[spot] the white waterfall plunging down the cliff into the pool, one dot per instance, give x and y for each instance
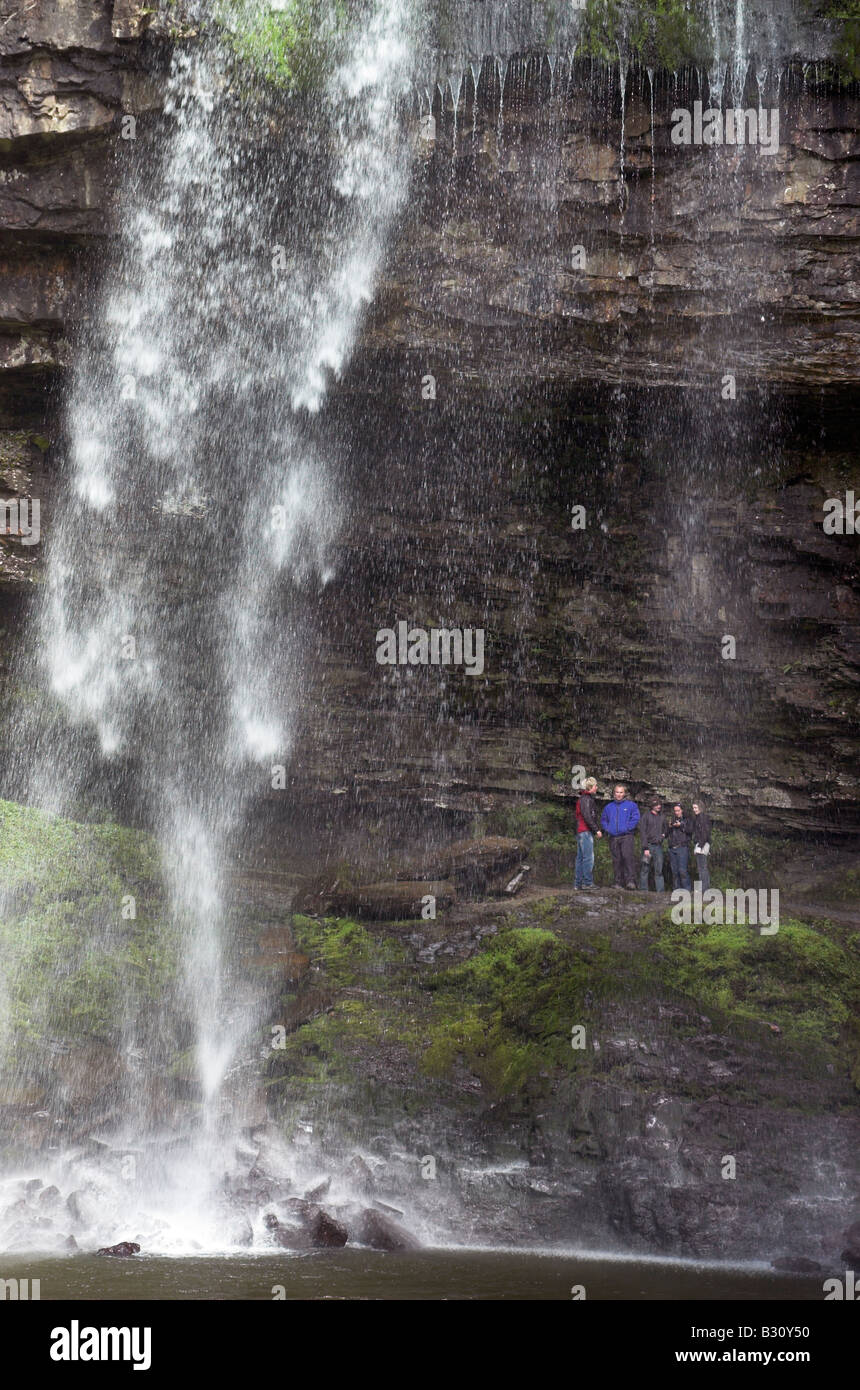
(234, 301)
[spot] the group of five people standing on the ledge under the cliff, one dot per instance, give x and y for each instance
(659, 833)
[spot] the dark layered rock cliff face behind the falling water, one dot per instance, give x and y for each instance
(579, 287)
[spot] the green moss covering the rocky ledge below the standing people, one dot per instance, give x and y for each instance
(506, 1014)
